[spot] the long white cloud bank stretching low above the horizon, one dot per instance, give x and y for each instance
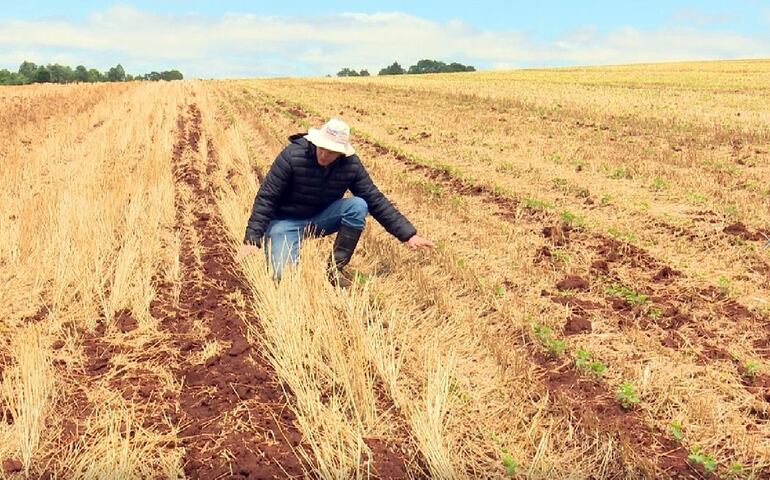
(250, 44)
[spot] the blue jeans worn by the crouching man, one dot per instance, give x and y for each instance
(284, 235)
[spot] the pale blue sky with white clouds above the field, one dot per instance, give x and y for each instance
(228, 39)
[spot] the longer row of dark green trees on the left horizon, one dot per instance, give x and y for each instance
(55, 73)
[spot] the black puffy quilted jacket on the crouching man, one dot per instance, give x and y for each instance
(298, 187)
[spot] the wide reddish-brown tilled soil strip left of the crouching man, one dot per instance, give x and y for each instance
(234, 419)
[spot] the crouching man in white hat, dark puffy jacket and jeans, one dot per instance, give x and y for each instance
(302, 195)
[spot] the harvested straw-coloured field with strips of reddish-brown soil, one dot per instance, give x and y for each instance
(598, 304)
